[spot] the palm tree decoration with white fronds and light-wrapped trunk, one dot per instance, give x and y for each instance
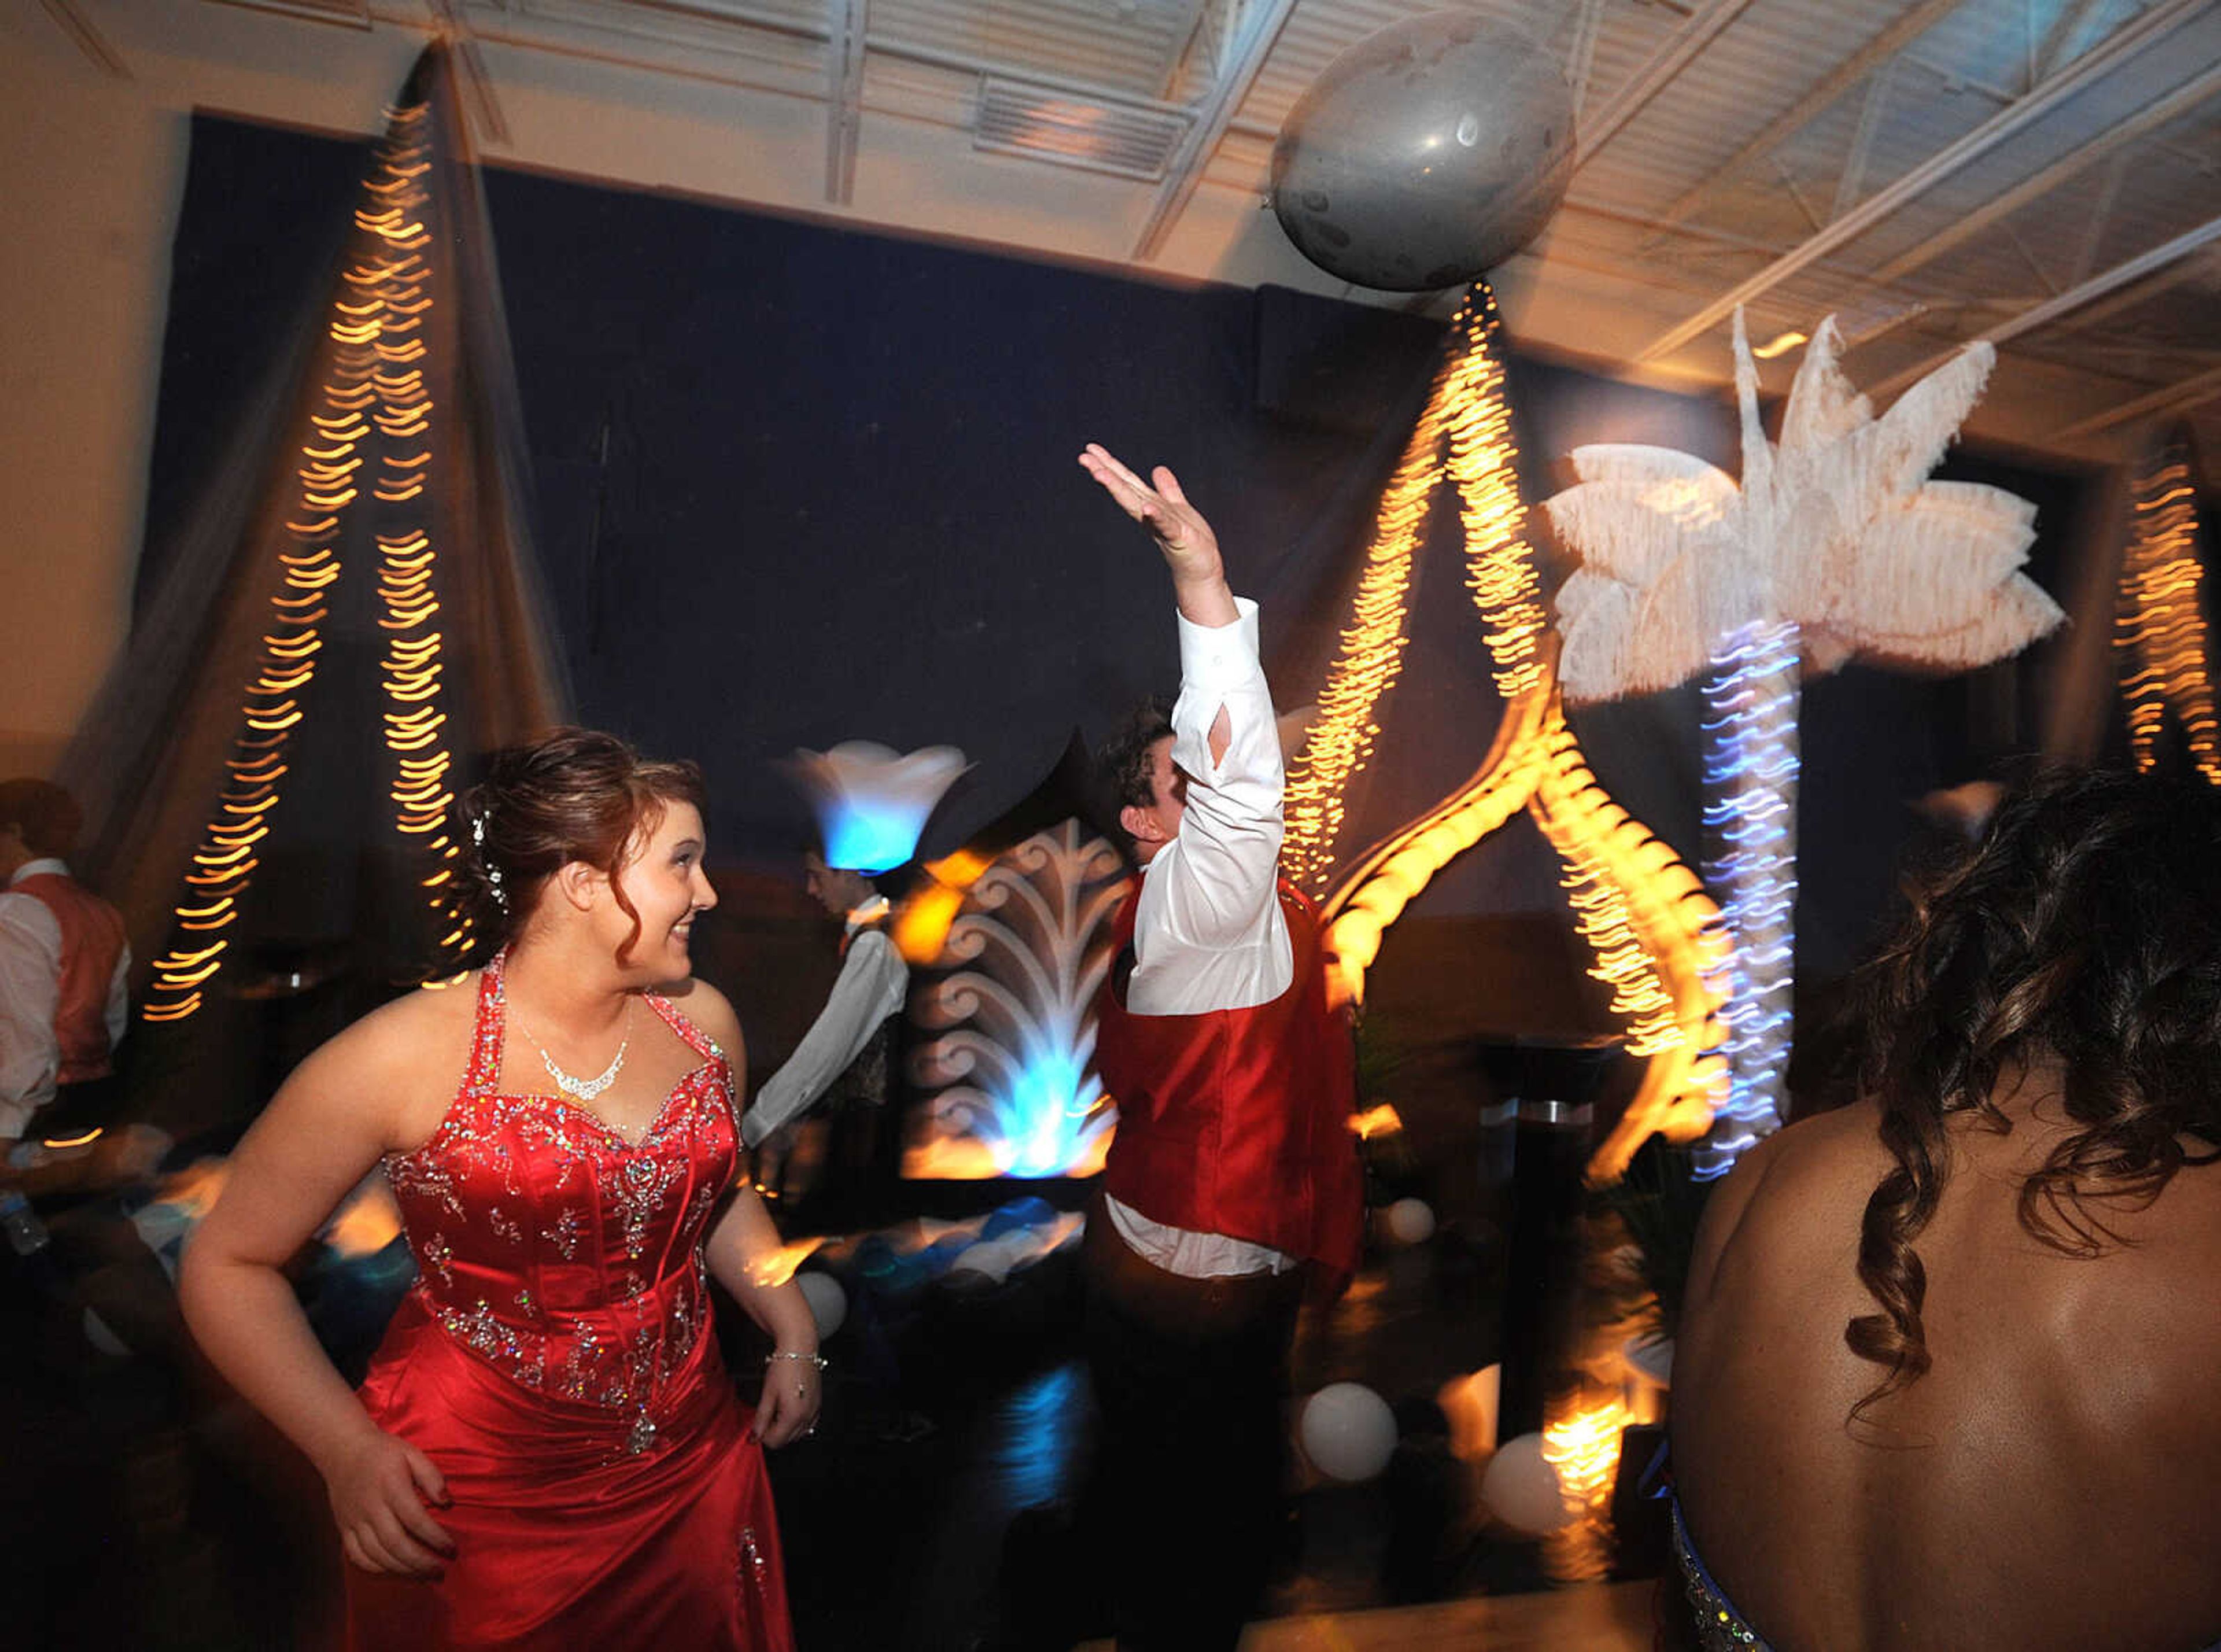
(1836, 545)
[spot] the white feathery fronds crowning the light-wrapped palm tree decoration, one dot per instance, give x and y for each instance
(1836, 530)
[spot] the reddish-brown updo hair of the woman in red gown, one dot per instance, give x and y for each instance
(570, 796)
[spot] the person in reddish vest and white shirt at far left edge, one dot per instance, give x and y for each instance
(63, 965)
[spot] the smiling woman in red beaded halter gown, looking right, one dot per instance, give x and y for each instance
(547, 1451)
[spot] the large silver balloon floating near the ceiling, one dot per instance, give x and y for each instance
(1427, 154)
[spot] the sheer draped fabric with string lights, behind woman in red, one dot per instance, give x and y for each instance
(170, 727)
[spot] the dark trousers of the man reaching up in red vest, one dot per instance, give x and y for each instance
(1189, 1376)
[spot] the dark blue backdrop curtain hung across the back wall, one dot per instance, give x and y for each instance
(794, 485)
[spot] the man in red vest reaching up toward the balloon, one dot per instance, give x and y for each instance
(1234, 1180)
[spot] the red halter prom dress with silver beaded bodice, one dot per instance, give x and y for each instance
(556, 1362)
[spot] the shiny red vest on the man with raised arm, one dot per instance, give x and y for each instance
(1238, 1122)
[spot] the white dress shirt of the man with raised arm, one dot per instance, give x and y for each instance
(1209, 931)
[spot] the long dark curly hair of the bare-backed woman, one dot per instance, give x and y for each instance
(2082, 936)
